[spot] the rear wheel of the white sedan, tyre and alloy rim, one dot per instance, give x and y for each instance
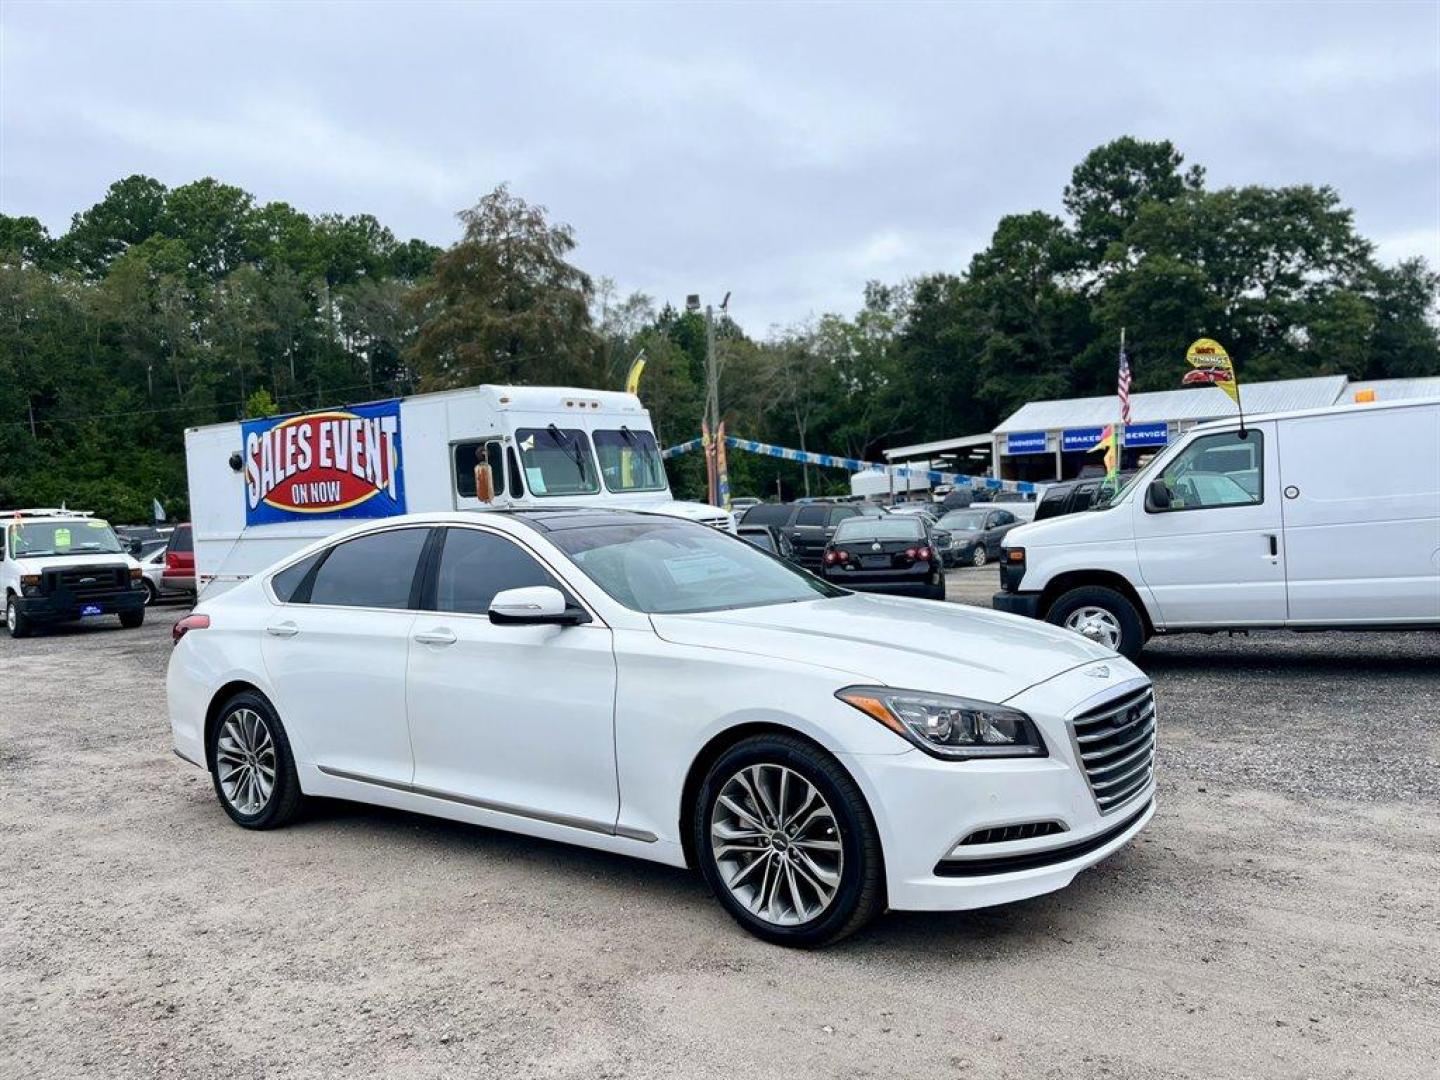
(253, 767)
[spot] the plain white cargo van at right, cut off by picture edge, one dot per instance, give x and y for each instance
(1327, 519)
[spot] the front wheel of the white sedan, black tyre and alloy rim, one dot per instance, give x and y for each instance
(787, 843)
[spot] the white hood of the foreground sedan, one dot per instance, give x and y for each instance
(896, 642)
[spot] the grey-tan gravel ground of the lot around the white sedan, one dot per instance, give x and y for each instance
(1278, 919)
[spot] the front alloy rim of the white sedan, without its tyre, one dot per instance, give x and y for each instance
(777, 845)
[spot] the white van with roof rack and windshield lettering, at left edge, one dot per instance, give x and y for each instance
(61, 565)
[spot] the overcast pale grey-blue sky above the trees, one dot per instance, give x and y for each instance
(787, 153)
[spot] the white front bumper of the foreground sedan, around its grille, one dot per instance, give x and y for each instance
(927, 807)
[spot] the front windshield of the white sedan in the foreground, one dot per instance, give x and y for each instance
(678, 568)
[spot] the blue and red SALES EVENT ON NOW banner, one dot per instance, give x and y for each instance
(346, 463)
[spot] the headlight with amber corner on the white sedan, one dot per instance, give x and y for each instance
(954, 728)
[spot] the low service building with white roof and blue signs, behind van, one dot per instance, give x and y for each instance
(1048, 441)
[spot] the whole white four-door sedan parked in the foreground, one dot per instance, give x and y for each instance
(656, 688)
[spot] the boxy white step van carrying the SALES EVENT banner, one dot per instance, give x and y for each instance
(264, 489)
